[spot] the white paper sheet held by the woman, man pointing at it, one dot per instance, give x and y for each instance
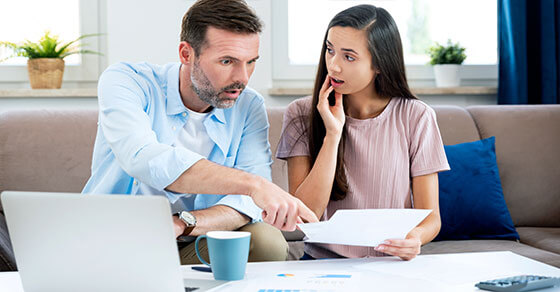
(364, 227)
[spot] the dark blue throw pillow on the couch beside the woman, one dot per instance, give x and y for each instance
(471, 199)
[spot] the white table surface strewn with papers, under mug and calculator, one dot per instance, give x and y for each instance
(445, 272)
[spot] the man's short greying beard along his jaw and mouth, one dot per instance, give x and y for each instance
(202, 86)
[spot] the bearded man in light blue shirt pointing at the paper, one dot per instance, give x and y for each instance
(195, 133)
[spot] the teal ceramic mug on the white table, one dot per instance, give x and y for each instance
(228, 252)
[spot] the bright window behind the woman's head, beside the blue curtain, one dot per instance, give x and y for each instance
(473, 24)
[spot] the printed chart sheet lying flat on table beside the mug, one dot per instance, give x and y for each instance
(307, 282)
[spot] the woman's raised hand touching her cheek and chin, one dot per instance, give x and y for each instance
(333, 116)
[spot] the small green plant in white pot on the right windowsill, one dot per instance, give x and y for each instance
(447, 61)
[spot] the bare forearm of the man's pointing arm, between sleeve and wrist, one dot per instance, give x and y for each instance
(205, 177)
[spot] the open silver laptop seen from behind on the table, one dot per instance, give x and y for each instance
(73, 242)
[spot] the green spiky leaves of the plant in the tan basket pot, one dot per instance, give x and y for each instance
(47, 47)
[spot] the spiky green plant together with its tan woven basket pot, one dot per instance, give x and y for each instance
(45, 63)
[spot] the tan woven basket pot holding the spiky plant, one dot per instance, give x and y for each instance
(45, 72)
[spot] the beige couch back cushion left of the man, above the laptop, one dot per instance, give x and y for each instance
(46, 150)
